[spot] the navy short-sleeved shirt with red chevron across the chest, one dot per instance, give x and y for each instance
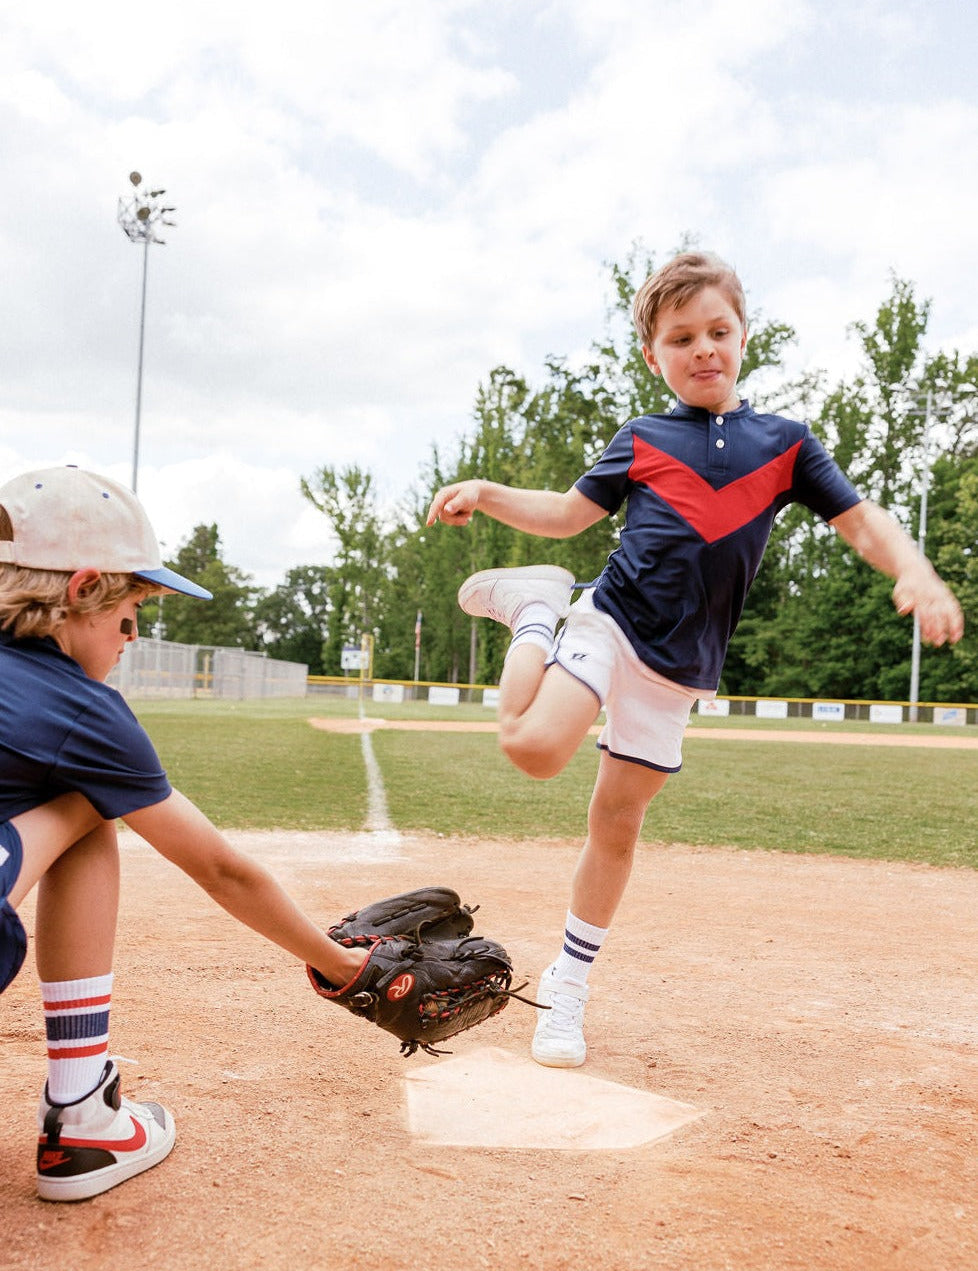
(703, 494)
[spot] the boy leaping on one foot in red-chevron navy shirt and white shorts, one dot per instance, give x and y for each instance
(703, 486)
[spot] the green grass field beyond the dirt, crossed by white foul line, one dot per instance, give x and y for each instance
(261, 766)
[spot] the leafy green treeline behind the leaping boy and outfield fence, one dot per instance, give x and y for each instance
(820, 622)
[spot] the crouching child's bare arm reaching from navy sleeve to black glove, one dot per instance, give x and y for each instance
(181, 833)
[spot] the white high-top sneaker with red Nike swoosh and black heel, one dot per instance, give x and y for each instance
(102, 1141)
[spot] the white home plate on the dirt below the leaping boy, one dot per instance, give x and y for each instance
(493, 1099)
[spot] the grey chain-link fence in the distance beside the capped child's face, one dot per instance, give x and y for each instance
(161, 669)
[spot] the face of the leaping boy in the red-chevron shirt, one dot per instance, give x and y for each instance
(698, 349)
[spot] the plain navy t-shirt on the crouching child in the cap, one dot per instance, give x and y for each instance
(63, 731)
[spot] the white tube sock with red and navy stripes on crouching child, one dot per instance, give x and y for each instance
(77, 1025)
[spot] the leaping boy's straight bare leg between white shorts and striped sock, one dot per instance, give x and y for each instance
(621, 798)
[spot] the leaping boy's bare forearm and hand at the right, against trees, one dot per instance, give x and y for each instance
(885, 545)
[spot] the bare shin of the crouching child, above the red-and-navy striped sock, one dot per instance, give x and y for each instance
(78, 908)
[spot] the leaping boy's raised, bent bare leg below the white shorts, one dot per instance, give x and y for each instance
(545, 714)
